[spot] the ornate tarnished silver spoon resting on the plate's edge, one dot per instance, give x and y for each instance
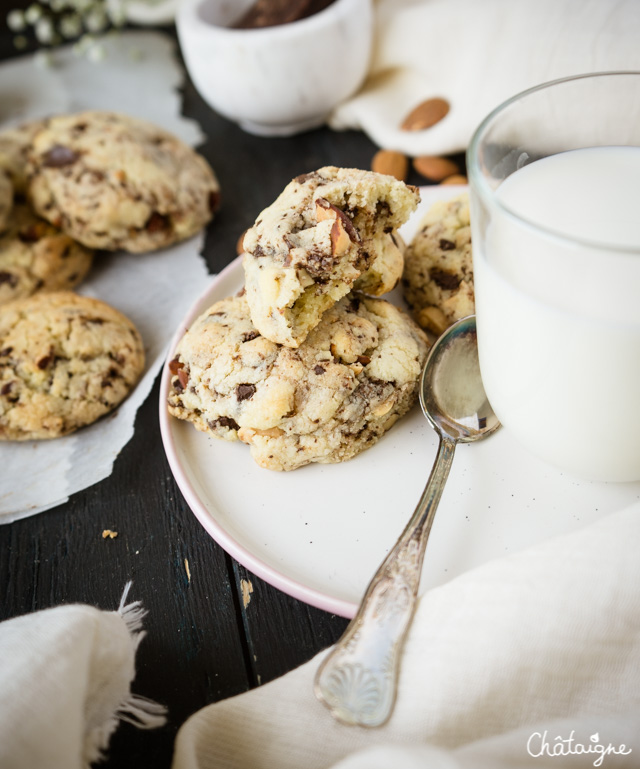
(357, 679)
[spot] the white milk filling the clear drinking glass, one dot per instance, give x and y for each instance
(559, 315)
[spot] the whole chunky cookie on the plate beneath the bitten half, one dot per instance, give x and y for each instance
(334, 396)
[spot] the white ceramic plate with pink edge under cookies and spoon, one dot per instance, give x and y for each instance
(319, 533)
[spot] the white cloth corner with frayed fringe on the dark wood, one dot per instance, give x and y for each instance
(65, 675)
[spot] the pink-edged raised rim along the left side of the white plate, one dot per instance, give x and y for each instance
(206, 518)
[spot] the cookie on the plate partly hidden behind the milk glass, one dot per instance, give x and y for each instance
(438, 271)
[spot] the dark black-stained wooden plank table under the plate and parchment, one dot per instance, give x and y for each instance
(202, 643)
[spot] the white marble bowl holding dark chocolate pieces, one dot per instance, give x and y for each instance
(279, 80)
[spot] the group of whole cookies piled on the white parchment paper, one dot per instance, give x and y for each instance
(70, 185)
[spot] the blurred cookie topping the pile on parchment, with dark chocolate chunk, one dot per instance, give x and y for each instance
(116, 182)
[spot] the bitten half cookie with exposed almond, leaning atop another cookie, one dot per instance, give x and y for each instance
(307, 249)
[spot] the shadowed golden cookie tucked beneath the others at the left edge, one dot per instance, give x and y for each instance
(35, 256)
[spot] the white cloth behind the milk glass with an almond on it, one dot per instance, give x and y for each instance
(476, 55)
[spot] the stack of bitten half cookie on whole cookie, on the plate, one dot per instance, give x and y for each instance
(307, 364)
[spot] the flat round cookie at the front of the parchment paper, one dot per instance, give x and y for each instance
(65, 361)
